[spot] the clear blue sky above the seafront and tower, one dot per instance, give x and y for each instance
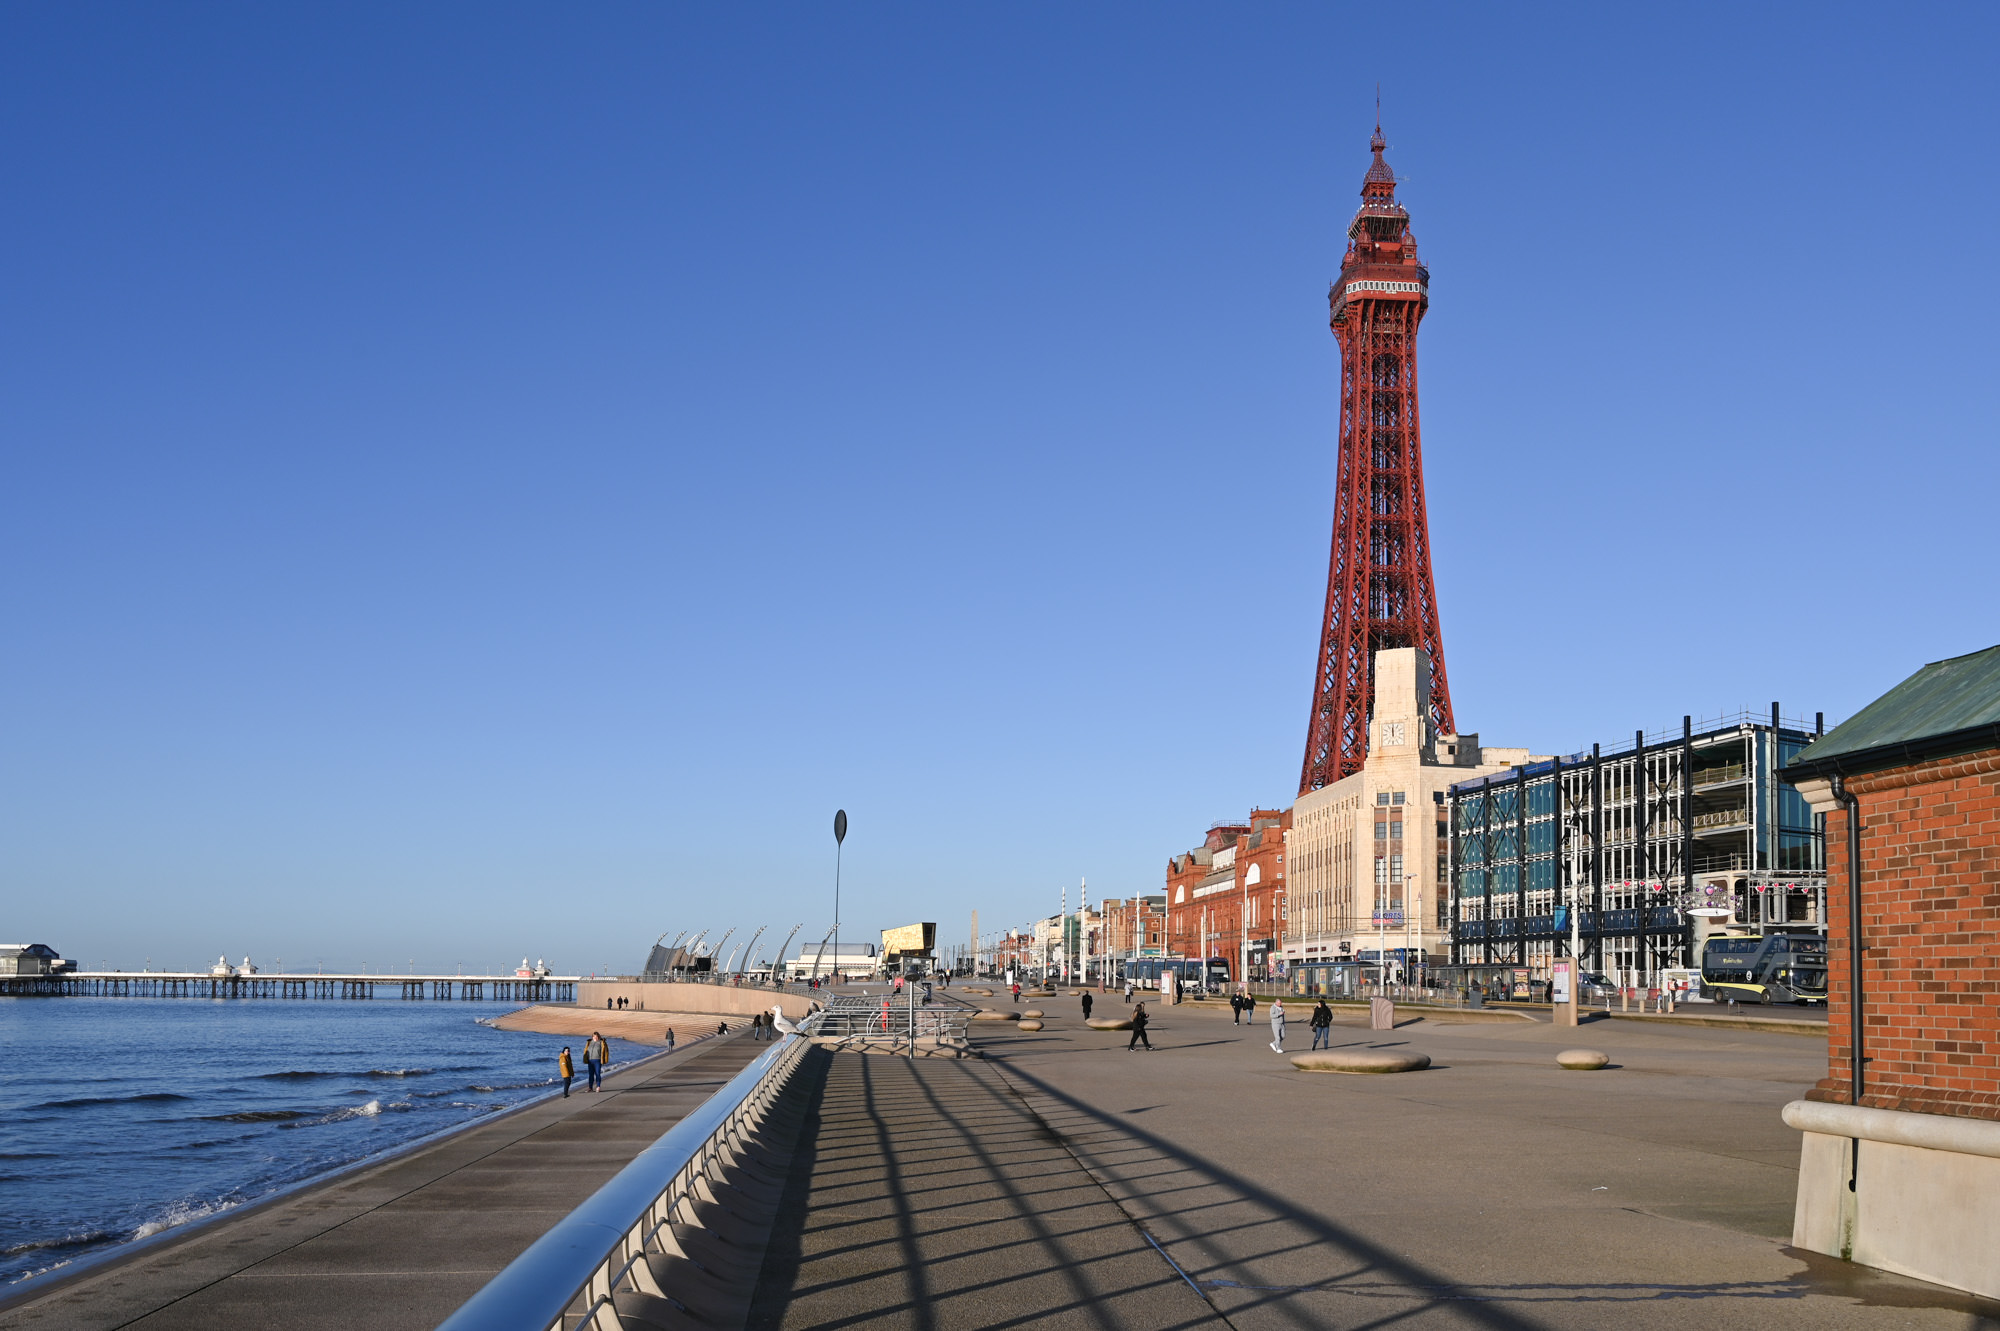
(495, 479)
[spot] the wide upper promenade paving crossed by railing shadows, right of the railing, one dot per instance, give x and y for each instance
(1489, 1192)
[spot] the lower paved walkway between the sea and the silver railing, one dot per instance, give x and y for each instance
(397, 1246)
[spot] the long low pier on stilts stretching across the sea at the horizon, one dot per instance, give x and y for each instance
(281, 986)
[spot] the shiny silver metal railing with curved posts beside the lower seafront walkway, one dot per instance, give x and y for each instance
(567, 1278)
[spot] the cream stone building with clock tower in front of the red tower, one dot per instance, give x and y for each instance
(1377, 840)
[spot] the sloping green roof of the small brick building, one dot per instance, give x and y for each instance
(1945, 708)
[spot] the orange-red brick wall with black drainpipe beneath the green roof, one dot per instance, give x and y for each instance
(1931, 938)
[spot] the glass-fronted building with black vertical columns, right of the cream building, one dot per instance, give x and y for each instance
(1655, 846)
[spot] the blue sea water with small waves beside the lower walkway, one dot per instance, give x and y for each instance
(121, 1118)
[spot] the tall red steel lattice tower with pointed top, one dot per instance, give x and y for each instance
(1379, 587)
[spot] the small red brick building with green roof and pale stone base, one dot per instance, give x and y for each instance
(1905, 1174)
